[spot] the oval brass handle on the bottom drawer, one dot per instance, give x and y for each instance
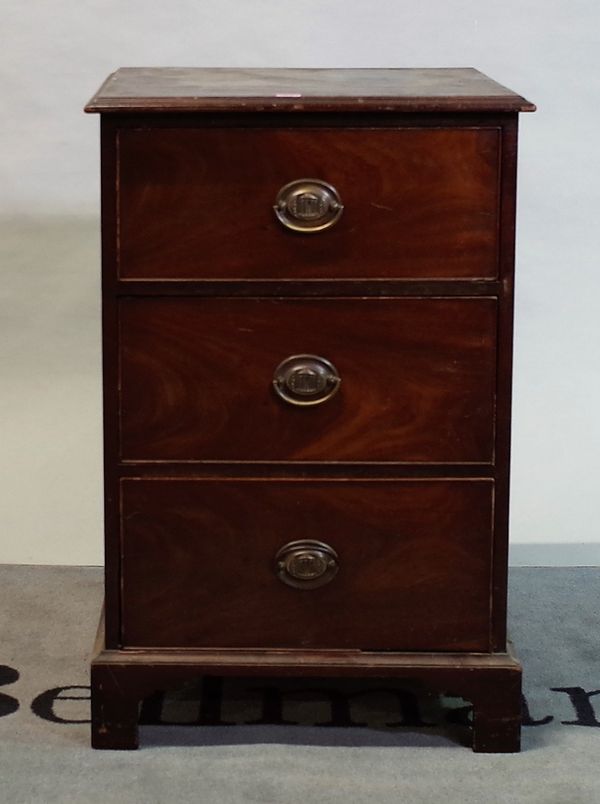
(306, 564)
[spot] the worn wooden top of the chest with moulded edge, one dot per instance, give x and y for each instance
(195, 89)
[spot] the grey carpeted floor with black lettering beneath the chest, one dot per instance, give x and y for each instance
(47, 620)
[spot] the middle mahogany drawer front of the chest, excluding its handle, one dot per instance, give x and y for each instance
(417, 379)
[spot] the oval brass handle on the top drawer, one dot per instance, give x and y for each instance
(308, 205)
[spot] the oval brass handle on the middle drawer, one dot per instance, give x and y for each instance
(306, 380)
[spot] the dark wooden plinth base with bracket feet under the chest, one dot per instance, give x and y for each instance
(121, 679)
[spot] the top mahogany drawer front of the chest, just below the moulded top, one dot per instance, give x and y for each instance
(199, 203)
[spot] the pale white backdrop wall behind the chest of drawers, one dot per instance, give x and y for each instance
(54, 55)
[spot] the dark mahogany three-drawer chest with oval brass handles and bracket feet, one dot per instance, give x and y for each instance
(307, 316)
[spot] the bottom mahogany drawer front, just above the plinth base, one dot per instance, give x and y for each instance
(200, 566)
